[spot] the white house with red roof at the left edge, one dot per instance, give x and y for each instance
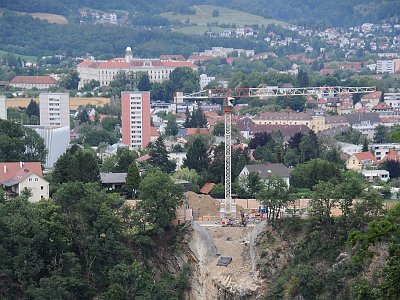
(15, 177)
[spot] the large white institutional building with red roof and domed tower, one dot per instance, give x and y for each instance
(105, 71)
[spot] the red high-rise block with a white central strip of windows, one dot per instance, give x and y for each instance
(136, 129)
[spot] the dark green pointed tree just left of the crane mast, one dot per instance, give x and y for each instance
(197, 156)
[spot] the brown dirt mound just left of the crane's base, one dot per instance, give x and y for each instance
(203, 205)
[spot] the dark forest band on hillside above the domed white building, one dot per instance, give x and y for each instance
(25, 35)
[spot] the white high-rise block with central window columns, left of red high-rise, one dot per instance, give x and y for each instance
(54, 109)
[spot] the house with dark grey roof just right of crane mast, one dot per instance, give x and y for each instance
(267, 170)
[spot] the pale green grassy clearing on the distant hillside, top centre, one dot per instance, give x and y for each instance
(226, 16)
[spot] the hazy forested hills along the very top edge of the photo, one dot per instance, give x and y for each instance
(311, 12)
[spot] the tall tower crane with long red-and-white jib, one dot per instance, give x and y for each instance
(227, 207)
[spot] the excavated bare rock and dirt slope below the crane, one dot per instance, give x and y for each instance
(200, 250)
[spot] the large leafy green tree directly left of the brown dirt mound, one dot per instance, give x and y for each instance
(160, 197)
